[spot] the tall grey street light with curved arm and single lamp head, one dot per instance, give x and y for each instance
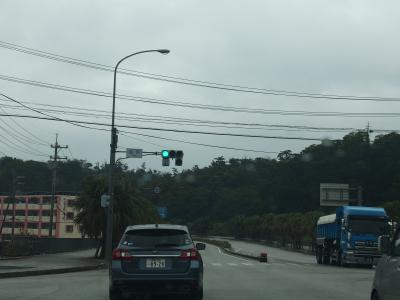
(113, 148)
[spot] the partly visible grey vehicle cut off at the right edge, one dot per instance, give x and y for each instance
(387, 274)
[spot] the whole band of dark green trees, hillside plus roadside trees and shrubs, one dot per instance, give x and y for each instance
(268, 198)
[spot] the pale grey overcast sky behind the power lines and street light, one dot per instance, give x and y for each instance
(313, 46)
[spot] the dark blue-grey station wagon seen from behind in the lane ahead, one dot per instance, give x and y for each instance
(156, 259)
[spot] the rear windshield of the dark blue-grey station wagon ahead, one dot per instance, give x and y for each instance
(154, 238)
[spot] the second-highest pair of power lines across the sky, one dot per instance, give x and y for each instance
(195, 105)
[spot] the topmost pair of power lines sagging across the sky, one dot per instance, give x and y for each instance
(190, 82)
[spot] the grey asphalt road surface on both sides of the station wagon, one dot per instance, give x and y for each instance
(288, 276)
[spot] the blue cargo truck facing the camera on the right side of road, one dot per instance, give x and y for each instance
(350, 236)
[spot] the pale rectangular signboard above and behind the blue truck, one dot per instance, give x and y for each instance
(334, 194)
